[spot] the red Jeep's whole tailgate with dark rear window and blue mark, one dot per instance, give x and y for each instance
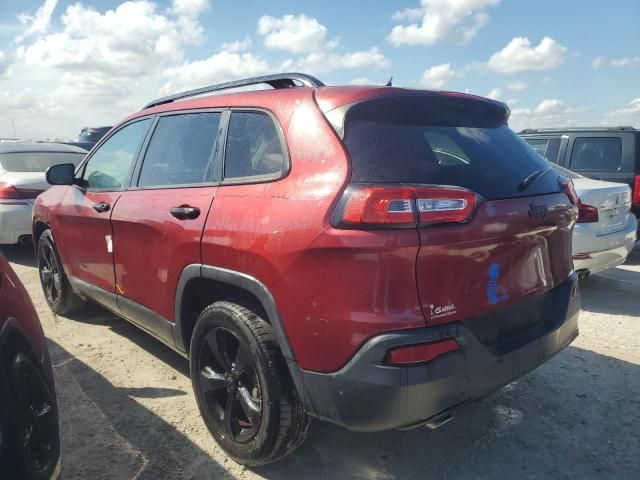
(517, 243)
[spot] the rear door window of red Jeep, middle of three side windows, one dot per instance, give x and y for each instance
(181, 150)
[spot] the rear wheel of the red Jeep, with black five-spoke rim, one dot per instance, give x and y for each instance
(243, 387)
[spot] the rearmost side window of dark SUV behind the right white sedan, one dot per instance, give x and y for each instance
(603, 153)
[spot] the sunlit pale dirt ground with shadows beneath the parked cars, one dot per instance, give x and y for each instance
(128, 411)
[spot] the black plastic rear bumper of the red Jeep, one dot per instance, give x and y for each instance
(367, 395)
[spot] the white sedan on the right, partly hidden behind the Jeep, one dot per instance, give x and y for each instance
(605, 232)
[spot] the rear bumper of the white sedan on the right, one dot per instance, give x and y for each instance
(597, 253)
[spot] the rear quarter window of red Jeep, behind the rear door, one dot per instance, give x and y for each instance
(253, 146)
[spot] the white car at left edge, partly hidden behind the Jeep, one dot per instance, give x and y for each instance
(22, 179)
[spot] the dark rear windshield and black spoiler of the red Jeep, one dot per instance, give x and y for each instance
(443, 141)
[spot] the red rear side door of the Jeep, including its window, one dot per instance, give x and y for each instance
(158, 223)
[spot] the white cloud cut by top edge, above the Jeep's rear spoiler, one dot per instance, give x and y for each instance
(456, 20)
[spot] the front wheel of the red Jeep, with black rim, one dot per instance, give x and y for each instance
(57, 292)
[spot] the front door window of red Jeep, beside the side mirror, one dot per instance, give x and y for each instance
(109, 166)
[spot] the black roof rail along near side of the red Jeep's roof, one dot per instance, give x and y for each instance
(278, 80)
